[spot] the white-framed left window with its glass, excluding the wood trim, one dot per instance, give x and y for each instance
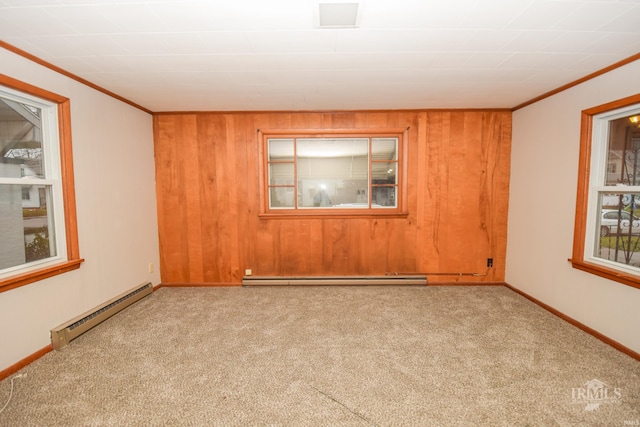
(31, 193)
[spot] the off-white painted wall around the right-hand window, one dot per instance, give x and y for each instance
(544, 168)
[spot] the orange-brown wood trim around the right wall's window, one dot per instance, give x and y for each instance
(582, 200)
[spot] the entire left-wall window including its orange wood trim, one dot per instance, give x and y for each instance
(37, 203)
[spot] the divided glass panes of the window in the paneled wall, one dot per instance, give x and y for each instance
(332, 173)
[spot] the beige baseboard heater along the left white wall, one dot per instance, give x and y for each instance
(65, 333)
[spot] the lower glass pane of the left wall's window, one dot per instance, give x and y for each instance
(27, 229)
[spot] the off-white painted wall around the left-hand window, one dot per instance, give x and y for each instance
(116, 208)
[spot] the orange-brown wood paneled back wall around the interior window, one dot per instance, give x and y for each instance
(207, 177)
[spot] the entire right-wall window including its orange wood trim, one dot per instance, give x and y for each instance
(607, 226)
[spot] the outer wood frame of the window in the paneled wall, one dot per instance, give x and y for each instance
(400, 210)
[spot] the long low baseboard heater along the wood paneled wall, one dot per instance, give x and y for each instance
(334, 280)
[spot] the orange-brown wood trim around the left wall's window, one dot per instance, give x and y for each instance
(68, 189)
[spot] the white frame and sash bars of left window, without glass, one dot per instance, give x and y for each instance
(52, 179)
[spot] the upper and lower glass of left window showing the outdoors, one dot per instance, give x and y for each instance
(25, 193)
